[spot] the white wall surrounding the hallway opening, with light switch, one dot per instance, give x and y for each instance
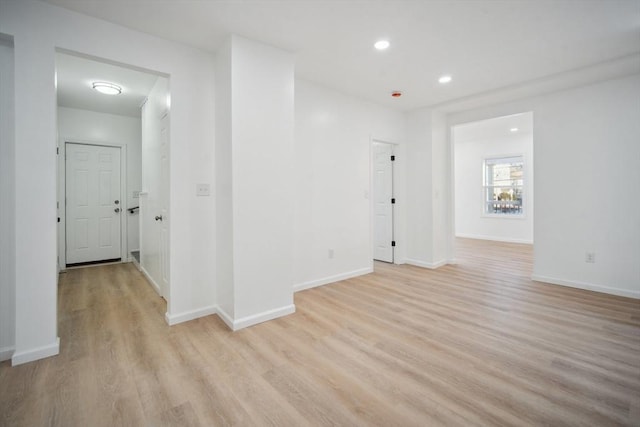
(38, 29)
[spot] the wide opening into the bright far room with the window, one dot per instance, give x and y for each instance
(493, 181)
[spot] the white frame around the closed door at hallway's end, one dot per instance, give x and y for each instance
(62, 208)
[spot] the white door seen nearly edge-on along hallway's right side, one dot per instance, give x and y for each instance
(163, 202)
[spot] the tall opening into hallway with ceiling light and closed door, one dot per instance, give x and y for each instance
(113, 156)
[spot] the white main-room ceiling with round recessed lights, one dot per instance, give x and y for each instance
(484, 44)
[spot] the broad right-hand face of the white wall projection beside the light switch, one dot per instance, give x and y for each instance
(262, 90)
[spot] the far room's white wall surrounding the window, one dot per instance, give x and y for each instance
(470, 219)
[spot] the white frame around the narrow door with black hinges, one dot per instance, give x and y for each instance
(398, 207)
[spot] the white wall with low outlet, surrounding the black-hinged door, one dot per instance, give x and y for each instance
(333, 135)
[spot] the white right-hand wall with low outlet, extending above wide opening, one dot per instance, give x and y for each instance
(586, 175)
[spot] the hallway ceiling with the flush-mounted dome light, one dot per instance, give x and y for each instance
(75, 75)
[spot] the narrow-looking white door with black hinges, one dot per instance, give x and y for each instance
(382, 202)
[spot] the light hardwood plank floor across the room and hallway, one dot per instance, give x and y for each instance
(477, 343)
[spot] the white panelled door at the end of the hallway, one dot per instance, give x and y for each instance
(93, 209)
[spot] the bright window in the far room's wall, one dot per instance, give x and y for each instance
(503, 185)
